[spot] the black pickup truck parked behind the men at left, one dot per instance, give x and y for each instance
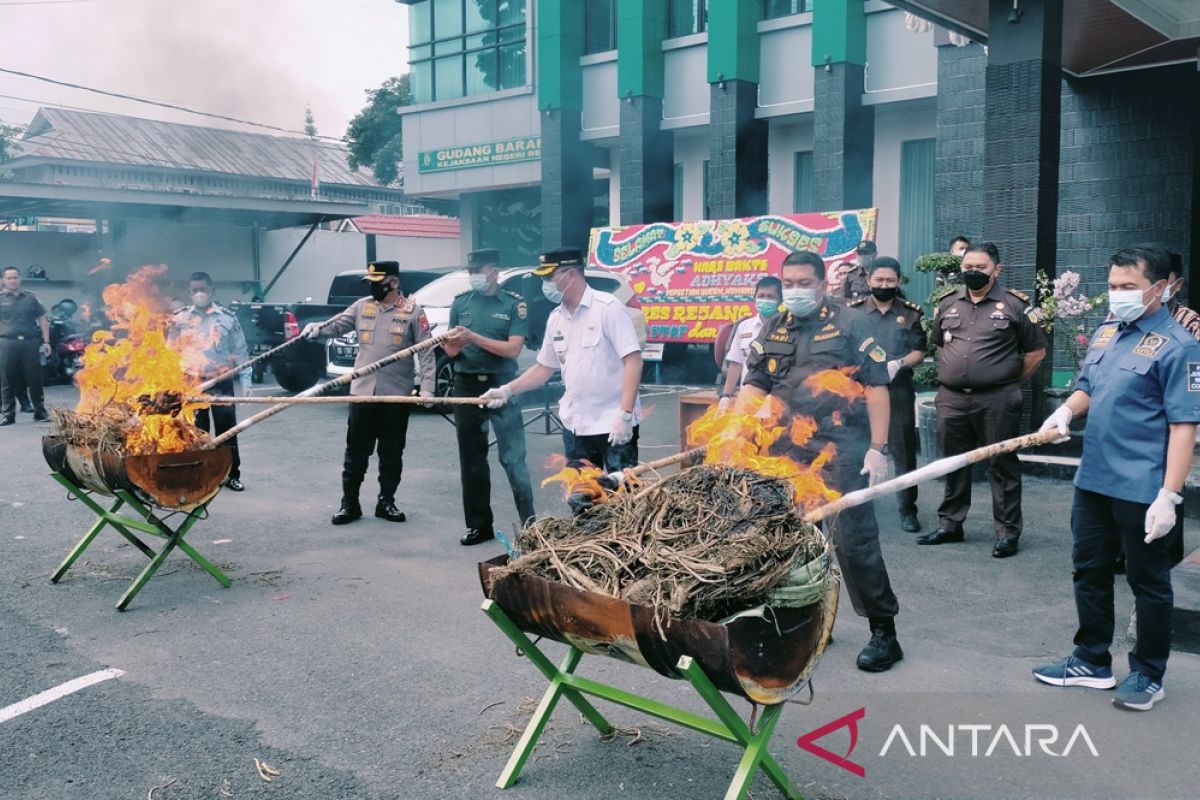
(268, 326)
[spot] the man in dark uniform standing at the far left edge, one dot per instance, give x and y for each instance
(25, 335)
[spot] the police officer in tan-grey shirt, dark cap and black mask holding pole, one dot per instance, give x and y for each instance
(386, 323)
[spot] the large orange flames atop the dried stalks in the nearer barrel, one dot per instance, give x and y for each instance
(743, 438)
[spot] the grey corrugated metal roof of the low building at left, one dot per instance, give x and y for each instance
(130, 141)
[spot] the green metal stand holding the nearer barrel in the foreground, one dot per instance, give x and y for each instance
(563, 683)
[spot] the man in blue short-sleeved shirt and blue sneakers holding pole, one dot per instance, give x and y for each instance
(1141, 388)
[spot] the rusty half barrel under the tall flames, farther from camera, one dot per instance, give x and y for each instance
(175, 482)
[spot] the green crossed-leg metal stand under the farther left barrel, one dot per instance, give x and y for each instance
(125, 526)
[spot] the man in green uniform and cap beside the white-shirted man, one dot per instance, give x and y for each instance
(488, 330)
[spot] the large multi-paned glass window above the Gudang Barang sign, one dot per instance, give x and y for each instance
(478, 47)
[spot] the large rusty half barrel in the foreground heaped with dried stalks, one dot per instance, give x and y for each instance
(765, 660)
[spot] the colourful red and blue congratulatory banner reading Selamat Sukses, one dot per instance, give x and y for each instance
(695, 278)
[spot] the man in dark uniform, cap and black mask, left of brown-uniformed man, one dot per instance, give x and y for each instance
(897, 327)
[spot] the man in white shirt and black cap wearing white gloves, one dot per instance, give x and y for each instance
(591, 340)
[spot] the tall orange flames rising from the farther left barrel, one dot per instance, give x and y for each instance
(131, 360)
